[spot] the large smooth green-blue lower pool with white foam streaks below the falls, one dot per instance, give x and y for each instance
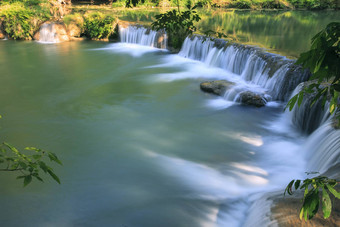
(141, 145)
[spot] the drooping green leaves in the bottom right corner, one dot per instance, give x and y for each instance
(314, 188)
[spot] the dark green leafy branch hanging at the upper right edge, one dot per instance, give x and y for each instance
(323, 60)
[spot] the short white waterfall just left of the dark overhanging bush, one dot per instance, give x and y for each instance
(143, 36)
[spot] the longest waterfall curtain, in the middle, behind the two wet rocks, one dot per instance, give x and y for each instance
(276, 74)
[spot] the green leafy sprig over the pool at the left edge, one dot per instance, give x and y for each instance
(28, 165)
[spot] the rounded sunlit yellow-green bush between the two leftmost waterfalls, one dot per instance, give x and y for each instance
(98, 25)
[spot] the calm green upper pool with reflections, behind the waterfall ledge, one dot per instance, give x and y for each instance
(284, 32)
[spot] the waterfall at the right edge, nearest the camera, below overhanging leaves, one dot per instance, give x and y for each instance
(322, 148)
